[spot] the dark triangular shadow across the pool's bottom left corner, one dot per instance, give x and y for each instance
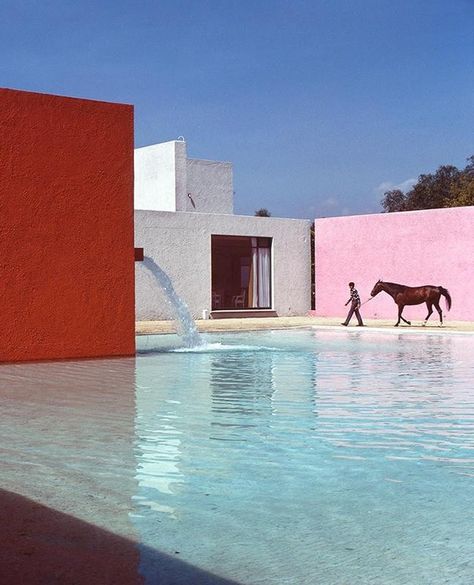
(41, 546)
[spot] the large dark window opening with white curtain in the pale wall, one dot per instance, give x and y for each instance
(241, 273)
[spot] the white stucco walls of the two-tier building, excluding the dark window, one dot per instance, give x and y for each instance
(180, 204)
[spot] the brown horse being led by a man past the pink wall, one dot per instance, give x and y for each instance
(413, 295)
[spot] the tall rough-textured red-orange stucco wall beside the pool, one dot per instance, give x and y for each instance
(66, 227)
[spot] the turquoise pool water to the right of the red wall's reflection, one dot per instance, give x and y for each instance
(308, 457)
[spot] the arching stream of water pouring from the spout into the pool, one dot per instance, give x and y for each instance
(186, 327)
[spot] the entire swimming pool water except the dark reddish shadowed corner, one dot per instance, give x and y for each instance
(273, 458)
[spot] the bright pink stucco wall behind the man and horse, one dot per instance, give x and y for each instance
(414, 248)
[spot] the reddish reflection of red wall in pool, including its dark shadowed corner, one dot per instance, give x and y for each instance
(68, 473)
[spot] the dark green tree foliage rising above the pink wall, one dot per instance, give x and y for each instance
(447, 187)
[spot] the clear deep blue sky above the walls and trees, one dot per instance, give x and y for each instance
(320, 105)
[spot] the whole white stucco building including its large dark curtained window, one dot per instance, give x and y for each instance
(220, 264)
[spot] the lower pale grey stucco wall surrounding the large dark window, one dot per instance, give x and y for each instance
(180, 243)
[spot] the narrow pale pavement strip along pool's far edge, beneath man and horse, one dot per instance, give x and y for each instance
(254, 324)
